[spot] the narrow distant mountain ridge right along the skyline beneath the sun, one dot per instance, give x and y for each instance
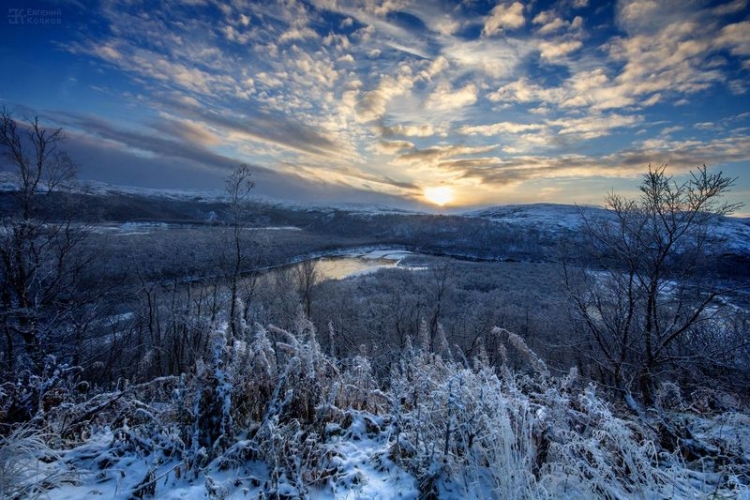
(113, 203)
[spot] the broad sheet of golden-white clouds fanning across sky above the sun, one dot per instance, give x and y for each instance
(326, 89)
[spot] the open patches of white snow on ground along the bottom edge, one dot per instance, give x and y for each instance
(361, 458)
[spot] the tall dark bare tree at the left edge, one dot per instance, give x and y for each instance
(39, 265)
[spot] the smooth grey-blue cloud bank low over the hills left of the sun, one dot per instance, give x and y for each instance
(171, 161)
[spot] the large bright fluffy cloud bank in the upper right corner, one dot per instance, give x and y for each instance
(667, 53)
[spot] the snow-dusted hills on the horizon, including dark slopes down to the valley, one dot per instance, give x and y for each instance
(528, 231)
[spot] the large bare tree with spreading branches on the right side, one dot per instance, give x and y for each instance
(645, 295)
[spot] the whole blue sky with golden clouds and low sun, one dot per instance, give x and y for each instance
(397, 102)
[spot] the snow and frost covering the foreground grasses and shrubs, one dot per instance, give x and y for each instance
(592, 451)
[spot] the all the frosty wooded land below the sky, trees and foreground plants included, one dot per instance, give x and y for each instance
(161, 345)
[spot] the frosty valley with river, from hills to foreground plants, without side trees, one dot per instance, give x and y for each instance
(380, 314)
